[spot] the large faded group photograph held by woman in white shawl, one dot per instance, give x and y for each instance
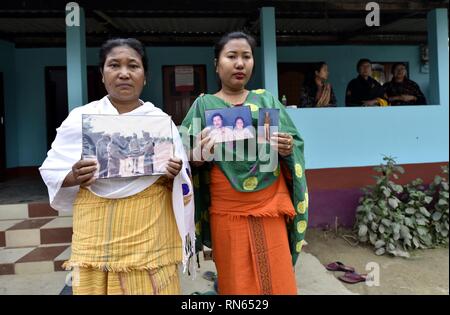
(127, 145)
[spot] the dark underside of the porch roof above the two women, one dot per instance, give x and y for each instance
(297, 22)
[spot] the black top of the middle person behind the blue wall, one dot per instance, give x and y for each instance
(360, 90)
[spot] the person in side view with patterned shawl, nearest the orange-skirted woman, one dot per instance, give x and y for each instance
(316, 92)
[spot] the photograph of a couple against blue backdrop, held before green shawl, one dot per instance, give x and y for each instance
(230, 124)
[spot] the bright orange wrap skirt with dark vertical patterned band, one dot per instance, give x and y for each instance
(250, 243)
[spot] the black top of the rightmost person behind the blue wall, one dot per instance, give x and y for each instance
(407, 87)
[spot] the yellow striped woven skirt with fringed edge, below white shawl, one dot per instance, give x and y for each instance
(125, 246)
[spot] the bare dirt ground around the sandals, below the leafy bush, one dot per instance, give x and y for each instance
(425, 272)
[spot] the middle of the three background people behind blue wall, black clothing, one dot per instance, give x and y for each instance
(364, 90)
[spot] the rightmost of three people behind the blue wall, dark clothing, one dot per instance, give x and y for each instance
(401, 90)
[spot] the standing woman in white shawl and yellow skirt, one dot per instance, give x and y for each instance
(129, 234)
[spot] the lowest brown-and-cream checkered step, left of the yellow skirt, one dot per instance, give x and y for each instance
(33, 260)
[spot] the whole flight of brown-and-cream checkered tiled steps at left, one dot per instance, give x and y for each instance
(34, 239)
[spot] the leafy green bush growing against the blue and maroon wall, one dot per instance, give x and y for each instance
(398, 218)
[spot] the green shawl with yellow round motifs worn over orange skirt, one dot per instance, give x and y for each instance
(244, 175)
